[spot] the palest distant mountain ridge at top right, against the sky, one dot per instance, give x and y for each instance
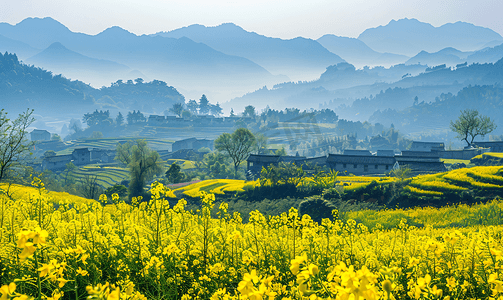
(410, 36)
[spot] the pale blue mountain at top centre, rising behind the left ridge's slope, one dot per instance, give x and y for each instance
(298, 58)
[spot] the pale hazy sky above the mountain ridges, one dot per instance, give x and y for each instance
(275, 18)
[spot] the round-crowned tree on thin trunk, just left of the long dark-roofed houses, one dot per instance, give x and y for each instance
(237, 145)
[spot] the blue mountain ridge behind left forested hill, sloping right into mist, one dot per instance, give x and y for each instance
(182, 62)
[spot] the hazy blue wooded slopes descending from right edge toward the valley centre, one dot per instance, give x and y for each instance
(343, 84)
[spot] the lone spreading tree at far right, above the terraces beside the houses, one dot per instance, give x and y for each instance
(470, 124)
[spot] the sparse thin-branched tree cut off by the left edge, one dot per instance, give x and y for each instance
(14, 145)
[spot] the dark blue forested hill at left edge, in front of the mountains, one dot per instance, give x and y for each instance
(23, 86)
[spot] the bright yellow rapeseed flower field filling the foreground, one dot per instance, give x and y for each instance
(51, 248)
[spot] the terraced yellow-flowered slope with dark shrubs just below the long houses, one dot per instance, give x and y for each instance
(461, 185)
